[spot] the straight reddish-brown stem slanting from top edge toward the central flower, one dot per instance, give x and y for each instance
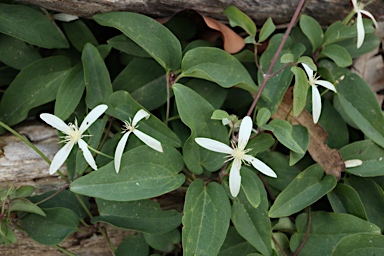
(273, 62)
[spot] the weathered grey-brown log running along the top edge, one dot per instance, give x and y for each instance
(325, 11)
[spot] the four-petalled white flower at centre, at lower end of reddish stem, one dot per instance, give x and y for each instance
(238, 154)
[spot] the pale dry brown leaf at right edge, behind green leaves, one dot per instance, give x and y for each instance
(370, 67)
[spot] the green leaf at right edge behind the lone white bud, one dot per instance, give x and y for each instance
(368, 152)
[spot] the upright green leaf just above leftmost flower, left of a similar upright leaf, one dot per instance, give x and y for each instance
(70, 92)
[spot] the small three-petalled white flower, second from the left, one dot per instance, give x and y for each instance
(130, 127)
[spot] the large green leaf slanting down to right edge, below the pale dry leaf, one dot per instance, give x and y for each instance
(360, 104)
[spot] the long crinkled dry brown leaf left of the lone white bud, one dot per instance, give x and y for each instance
(330, 159)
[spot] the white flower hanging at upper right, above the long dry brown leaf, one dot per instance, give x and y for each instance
(316, 98)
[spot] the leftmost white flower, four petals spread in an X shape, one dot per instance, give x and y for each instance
(73, 135)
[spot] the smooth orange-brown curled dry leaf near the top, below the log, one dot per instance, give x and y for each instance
(233, 43)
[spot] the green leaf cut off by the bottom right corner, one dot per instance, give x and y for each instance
(360, 244)
